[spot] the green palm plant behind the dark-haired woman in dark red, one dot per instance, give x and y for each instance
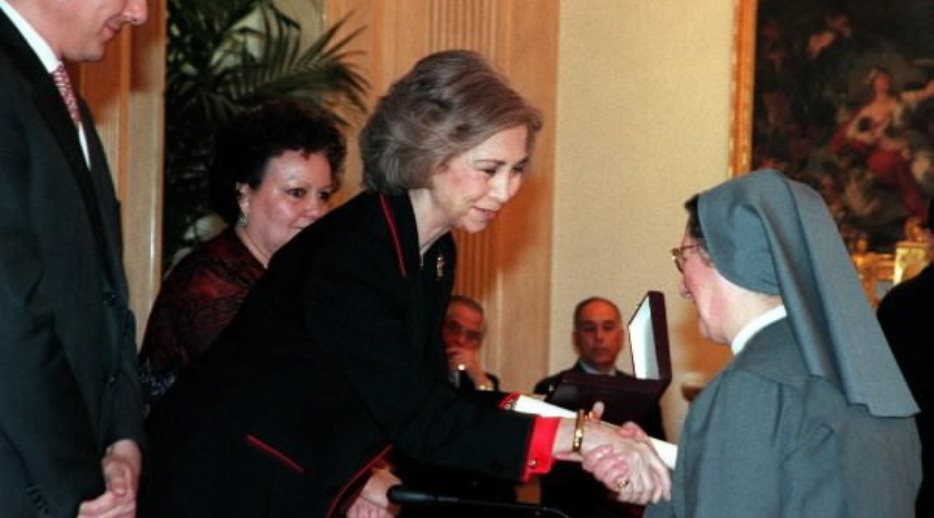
(223, 58)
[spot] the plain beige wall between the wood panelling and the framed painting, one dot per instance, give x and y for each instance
(643, 123)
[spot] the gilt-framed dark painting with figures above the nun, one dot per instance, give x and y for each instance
(840, 95)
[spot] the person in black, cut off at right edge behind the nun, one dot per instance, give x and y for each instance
(903, 314)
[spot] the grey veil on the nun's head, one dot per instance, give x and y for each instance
(772, 235)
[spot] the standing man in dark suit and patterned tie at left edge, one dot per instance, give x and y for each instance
(70, 421)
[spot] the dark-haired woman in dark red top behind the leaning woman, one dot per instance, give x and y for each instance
(275, 169)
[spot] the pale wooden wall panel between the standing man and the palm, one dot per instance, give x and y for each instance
(124, 91)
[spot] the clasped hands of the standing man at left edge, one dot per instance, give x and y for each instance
(121, 466)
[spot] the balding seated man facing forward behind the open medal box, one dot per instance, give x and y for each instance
(598, 338)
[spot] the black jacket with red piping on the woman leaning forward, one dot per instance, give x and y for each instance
(335, 355)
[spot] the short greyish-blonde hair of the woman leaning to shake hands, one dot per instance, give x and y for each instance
(448, 103)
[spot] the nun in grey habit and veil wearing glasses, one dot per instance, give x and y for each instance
(812, 417)
